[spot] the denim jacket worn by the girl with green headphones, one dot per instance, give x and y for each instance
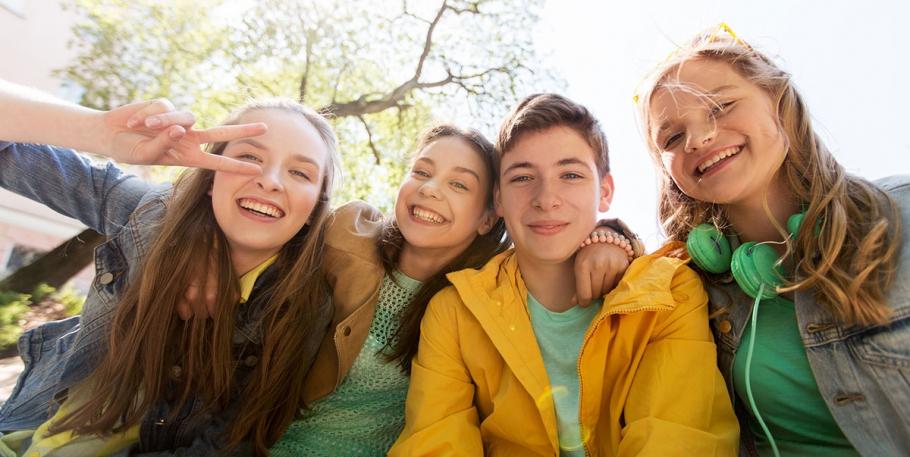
(863, 373)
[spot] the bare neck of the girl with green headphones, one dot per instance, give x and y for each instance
(752, 223)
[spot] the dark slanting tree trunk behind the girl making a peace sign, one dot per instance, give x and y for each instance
(57, 266)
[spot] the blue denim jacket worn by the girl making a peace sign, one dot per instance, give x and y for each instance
(59, 354)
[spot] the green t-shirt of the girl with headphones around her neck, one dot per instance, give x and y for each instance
(784, 388)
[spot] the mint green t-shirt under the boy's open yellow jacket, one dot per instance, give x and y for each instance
(559, 336)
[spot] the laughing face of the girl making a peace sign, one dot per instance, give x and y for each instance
(259, 214)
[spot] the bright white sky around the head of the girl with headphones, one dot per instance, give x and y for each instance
(849, 60)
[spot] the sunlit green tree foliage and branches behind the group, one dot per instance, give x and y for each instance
(387, 68)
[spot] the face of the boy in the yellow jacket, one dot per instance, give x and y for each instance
(550, 192)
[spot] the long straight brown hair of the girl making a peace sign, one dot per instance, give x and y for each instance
(148, 338)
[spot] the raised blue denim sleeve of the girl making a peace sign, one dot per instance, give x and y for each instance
(100, 196)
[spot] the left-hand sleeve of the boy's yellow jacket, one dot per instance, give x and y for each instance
(440, 418)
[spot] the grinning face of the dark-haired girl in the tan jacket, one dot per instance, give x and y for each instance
(441, 204)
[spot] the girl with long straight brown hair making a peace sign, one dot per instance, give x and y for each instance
(131, 375)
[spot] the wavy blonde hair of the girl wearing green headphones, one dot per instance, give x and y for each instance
(851, 263)
